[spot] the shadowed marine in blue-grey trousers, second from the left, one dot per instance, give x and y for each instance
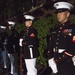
(12, 45)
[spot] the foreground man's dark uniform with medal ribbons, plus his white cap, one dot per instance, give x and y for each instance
(62, 43)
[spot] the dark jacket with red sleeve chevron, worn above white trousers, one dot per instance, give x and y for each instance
(30, 41)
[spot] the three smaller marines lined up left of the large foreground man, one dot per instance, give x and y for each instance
(11, 42)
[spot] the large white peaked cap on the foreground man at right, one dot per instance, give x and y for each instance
(63, 5)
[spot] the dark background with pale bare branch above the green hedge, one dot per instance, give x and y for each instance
(15, 9)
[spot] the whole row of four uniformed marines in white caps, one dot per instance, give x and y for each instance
(61, 44)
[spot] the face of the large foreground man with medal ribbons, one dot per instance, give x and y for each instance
(63, 16)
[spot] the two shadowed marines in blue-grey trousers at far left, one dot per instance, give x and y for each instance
(9, 45)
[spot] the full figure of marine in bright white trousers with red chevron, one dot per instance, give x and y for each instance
(30, 46)
